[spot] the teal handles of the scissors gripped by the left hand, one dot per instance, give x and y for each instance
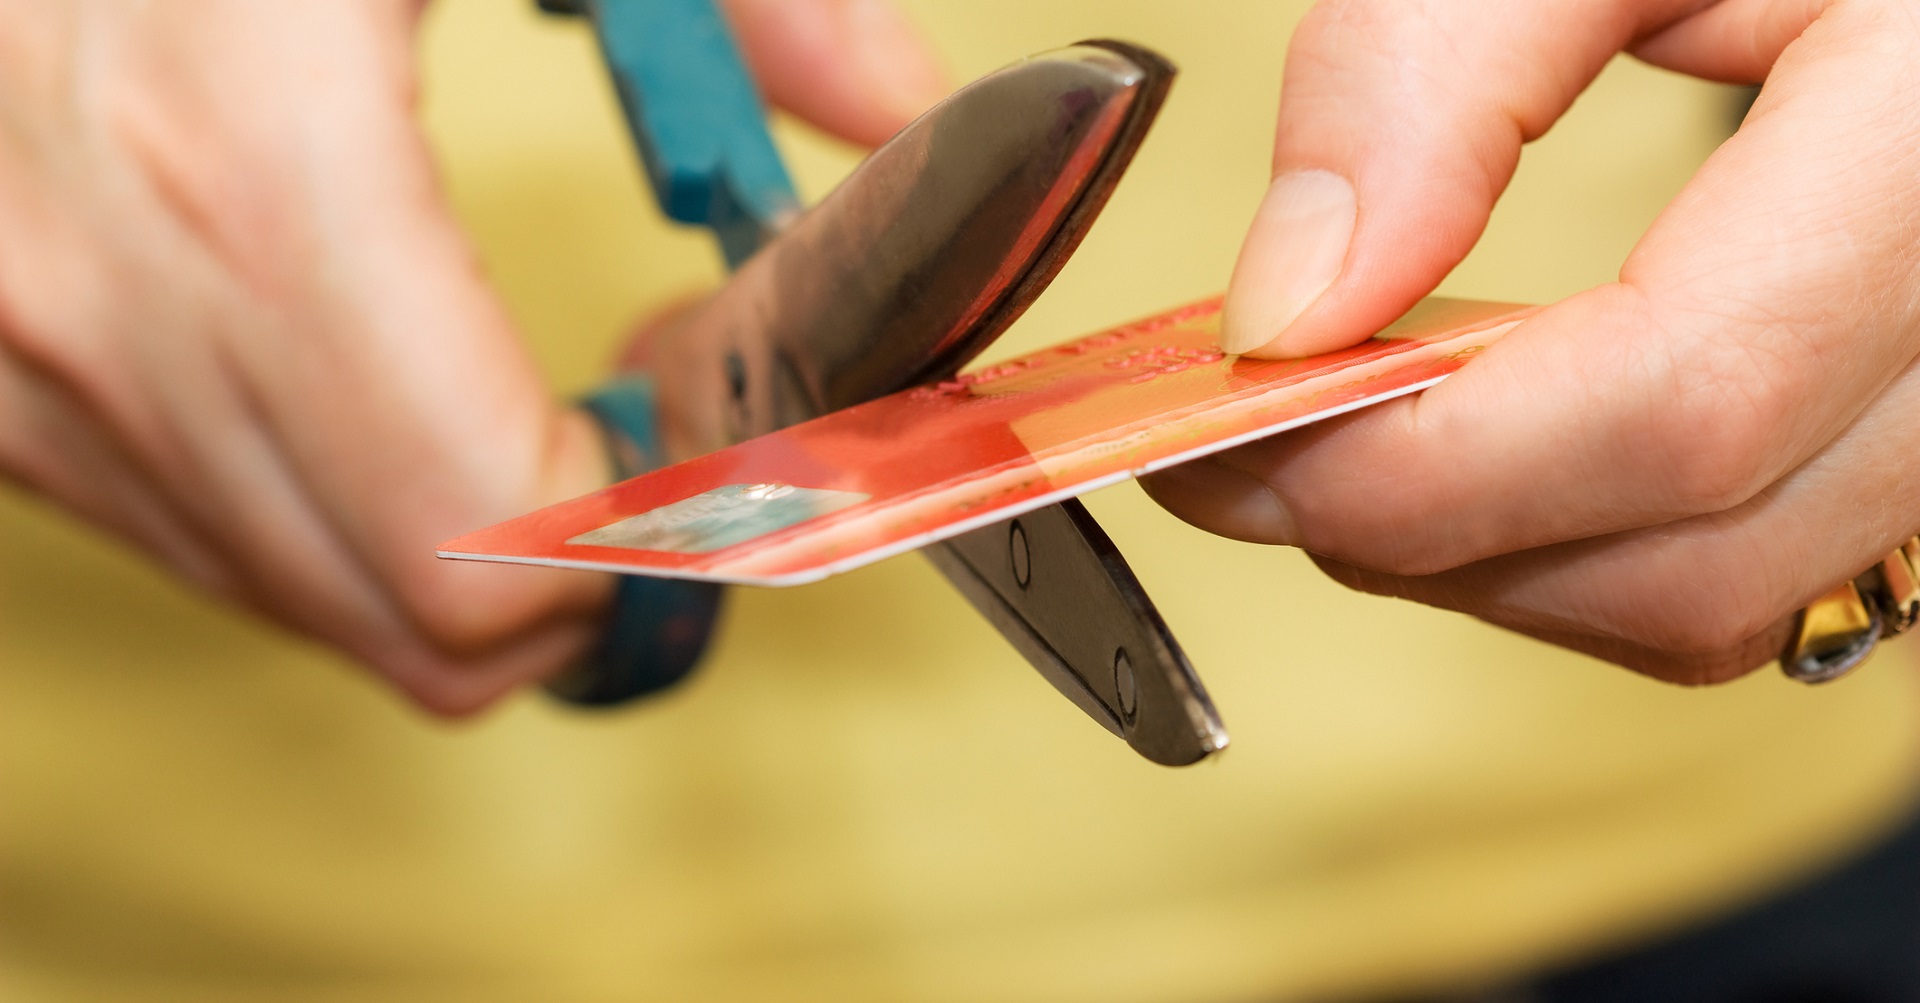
(702, 134)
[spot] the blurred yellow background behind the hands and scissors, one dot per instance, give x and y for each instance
(867, 795)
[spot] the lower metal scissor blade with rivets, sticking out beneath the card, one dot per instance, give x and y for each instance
(1061, 593)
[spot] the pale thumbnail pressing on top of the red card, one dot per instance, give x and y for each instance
(1293, 253)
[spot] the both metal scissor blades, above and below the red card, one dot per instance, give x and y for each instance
(901, 276)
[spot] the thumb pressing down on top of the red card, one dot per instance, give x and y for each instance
(1401, 126)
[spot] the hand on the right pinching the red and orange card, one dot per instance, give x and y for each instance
(1658, 472)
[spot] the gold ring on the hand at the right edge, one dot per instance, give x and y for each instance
(1838, 631)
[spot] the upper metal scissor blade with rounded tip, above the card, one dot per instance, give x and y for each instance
(921, 258)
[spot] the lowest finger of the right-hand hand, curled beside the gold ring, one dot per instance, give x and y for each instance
(1706, 599)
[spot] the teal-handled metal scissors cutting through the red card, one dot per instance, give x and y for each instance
(901, 276)
